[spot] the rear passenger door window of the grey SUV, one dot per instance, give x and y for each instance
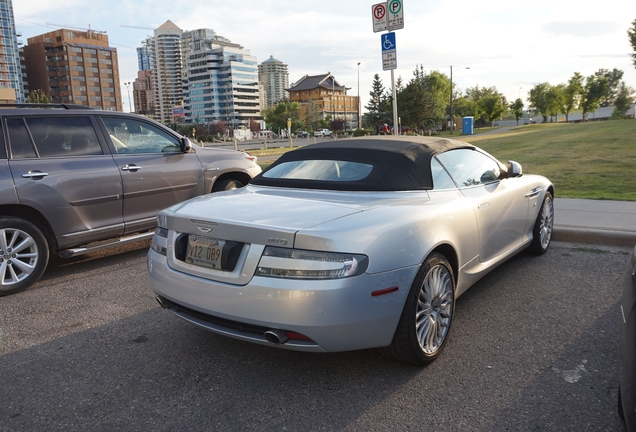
(64, 136)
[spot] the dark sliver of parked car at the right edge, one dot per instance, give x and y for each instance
(627, 344)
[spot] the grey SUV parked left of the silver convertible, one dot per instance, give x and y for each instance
(80, 180)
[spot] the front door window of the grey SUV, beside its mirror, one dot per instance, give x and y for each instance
(134, 136)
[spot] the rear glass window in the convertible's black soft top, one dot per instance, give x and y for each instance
(322, 170)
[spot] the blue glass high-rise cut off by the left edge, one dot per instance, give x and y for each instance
(11, 84)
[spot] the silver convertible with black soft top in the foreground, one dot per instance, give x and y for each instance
(349, 244)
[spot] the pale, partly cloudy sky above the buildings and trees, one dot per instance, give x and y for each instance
(506, 44)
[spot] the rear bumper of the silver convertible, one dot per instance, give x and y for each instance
(337, 315)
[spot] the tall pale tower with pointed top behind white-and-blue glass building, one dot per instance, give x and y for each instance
(166, 63)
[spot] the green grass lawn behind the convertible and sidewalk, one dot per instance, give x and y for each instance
(593, 160)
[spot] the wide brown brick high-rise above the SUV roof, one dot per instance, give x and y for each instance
(73, 66)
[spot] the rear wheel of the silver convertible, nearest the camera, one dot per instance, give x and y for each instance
(427, 315)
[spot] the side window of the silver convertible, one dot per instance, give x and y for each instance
(470, 167)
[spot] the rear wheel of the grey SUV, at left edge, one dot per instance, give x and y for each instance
(24, 254)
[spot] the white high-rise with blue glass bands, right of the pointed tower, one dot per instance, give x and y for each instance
(220, 82)
